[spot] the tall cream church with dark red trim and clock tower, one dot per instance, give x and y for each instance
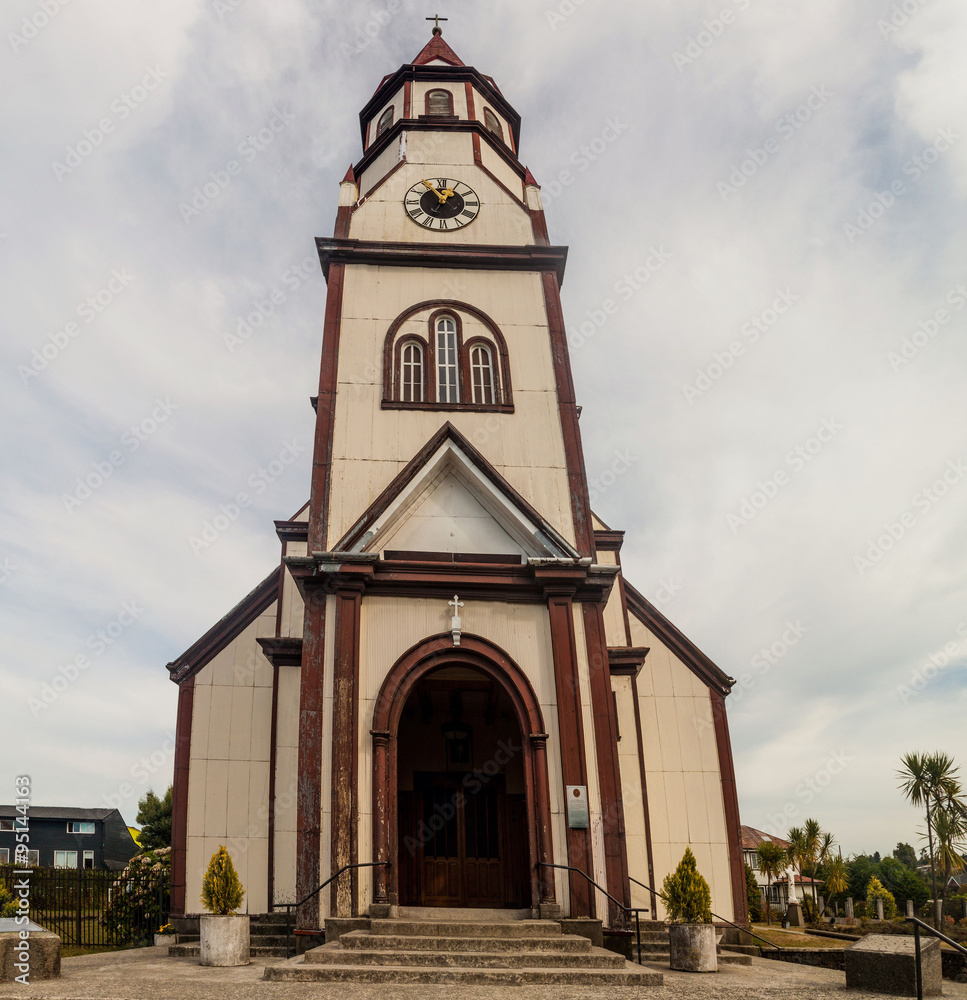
(447, 682)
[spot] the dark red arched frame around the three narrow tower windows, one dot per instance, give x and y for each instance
(492, 339)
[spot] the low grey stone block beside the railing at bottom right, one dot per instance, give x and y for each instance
(886, 963)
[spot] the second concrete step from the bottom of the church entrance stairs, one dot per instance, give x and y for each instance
(334, 955)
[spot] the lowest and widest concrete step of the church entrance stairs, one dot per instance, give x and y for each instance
(630, 975)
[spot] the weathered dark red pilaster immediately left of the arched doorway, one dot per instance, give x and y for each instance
(344, 825)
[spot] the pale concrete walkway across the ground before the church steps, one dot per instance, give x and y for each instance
(148, 974)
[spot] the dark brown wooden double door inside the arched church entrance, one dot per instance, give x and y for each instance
(462, 844)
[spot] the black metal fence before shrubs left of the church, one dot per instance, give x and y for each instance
(91, 909)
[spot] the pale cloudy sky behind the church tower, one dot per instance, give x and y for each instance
(766, 298)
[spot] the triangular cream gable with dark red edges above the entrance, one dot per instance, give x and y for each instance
(451, 499)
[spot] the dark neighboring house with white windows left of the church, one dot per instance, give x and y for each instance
(63, 837)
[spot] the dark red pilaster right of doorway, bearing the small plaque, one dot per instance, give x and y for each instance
(571, 730)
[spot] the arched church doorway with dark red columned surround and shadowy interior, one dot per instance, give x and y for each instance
(460, 791)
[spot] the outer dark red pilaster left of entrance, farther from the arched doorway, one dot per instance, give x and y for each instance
(309, 789)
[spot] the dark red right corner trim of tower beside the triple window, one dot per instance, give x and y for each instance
(567, 408)
